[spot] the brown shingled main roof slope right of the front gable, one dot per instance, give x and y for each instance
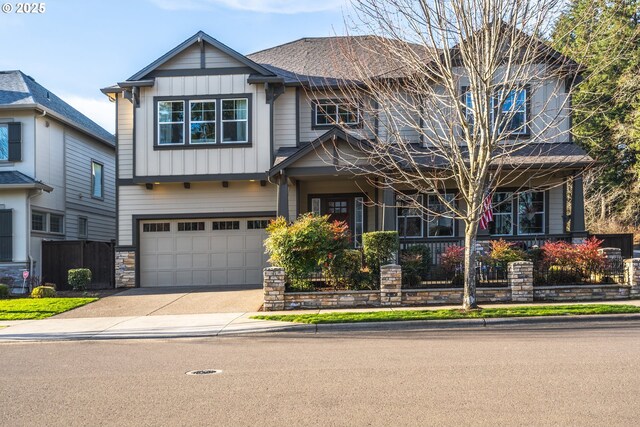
(320, 61)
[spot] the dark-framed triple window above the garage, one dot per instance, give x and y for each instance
(203, 122)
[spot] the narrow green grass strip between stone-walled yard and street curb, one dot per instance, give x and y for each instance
(449, 314)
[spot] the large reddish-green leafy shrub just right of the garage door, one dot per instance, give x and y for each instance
(305, 245)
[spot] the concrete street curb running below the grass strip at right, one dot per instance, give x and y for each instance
(463, 323)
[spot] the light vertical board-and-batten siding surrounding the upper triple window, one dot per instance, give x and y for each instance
(209, 161)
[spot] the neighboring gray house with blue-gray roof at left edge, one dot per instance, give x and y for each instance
(57, 175)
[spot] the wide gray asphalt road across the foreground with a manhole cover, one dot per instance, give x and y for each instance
(567, 374)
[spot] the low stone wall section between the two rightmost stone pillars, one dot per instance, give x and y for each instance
(580, 293)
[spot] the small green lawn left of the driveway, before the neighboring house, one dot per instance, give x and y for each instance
(38, 308)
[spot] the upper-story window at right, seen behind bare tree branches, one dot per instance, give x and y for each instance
(513, 114)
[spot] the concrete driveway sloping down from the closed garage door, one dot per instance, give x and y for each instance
(162, 301)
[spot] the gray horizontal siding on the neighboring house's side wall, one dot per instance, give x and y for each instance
(79, 153)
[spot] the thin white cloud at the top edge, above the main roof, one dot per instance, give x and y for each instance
(259, 6)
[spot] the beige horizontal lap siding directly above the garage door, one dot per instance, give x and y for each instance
(202, 197)
